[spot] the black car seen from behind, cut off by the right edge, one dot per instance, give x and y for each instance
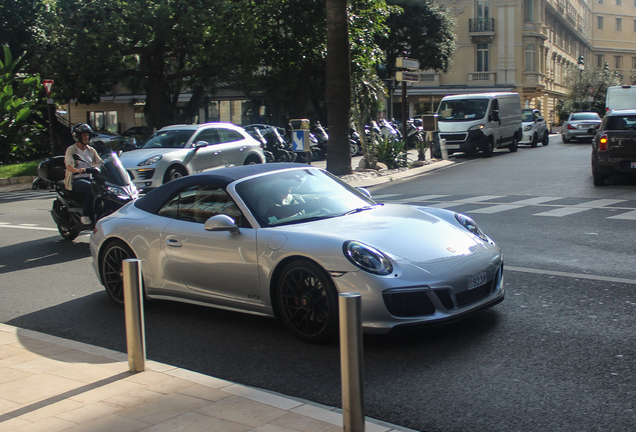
(614, 146)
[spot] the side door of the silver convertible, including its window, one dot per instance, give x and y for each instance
(218, 264)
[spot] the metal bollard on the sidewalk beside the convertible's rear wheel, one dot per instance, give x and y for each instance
(135, 333)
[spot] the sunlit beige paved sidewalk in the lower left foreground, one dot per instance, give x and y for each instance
(50, 384)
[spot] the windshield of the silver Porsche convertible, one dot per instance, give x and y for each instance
(326, 196)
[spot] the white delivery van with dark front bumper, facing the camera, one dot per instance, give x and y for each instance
(479, 122)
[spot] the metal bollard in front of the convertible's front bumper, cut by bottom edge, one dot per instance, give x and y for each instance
(351, 362)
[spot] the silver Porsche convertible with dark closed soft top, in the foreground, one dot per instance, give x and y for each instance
(283, 240)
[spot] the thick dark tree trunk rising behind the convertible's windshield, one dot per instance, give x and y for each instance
(338, 88)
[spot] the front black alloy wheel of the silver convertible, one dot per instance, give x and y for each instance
(307, 301)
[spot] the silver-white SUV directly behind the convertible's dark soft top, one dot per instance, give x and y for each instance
(179, 150)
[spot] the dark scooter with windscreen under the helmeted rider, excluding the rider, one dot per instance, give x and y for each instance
(111, 186)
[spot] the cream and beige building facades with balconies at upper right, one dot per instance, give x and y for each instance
(528, 47)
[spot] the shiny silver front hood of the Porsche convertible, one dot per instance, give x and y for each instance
(402, 231)
